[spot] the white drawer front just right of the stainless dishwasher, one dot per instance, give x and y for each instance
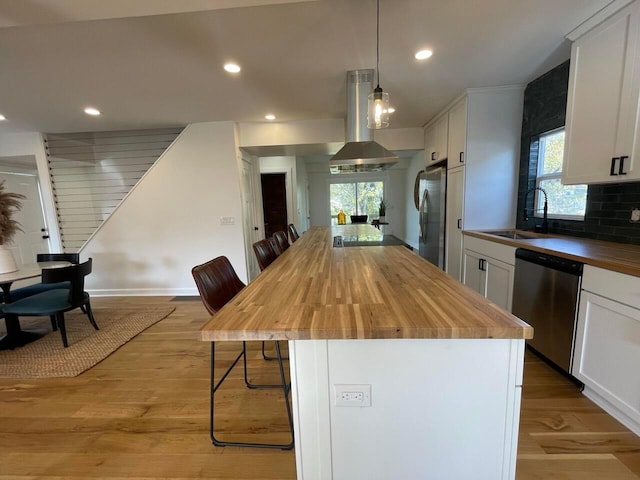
(616, 286)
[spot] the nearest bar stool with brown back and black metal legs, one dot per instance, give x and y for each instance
(218, 283)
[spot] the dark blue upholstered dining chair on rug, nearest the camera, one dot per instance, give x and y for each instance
(54, 303)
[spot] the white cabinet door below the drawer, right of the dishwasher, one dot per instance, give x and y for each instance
(607, 353)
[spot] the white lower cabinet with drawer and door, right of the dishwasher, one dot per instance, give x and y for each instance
(607, 348)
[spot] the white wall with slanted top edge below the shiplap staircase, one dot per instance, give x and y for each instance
(170, 222)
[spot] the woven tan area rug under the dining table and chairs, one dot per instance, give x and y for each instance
(46, 357)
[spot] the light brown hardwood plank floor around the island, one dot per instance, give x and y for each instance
(143, 413)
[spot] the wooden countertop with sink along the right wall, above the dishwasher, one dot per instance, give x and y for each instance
(618, 257)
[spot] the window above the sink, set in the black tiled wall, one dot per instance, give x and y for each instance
(564, 201)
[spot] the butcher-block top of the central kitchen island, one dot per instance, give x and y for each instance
(315, 291)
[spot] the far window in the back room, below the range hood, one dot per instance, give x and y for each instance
(355, 198)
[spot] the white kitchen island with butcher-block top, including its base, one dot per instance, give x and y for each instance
(440, 366)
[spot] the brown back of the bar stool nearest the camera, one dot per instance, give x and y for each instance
(217, 283)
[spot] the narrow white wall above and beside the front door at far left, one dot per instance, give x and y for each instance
(32, 144)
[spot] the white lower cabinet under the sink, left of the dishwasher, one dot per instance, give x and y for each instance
(488, 268)
